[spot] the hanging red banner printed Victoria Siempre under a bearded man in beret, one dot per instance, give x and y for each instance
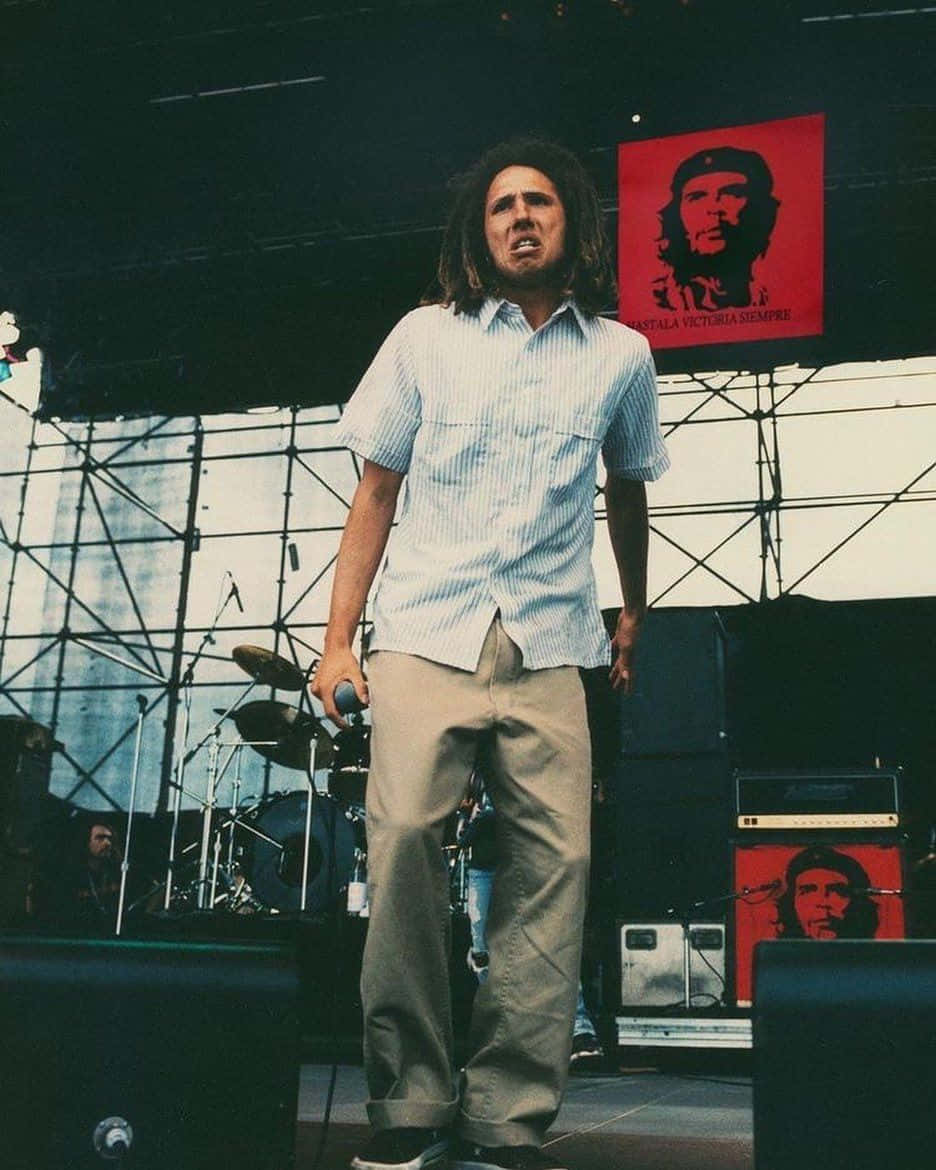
(720, 235)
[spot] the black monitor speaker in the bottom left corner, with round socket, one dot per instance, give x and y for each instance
(148, 1056)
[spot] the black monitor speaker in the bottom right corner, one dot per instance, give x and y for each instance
(845, 1055)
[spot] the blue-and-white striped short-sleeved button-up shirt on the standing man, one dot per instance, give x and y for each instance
(498, 430)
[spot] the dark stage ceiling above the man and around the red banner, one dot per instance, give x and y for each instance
(212, 205)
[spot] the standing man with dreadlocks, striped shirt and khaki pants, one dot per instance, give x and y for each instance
(490, 409)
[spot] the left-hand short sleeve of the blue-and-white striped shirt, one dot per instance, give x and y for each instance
(384, 414)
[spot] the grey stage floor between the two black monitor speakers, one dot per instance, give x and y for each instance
(642, 1119)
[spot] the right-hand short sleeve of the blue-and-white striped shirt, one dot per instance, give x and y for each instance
(634, 448)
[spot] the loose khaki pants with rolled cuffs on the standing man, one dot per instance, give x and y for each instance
(428, 720)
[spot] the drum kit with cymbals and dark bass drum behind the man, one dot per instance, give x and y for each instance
(295, 851)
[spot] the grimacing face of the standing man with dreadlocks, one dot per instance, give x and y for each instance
(525, 228)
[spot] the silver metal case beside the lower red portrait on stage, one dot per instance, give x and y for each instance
(653, 965)
